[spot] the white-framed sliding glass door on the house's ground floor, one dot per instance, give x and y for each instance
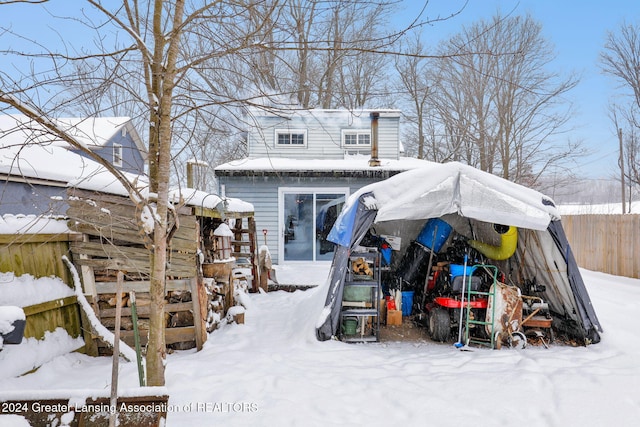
(307, 216)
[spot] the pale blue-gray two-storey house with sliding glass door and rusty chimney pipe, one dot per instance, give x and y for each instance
(301, 168)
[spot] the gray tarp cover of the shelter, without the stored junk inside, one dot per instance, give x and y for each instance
(471, 201)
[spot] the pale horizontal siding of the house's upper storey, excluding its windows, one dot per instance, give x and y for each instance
(323, 134)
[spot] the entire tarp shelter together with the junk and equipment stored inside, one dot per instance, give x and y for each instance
(473, 258)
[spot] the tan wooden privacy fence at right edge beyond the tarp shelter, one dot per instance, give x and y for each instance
(607, 243)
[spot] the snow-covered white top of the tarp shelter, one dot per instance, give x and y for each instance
(438, 189)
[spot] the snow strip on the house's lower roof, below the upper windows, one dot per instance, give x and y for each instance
(349, 163)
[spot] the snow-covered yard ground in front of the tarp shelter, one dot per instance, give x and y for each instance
(271, 371)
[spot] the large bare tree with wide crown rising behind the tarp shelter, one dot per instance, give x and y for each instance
(500, 107)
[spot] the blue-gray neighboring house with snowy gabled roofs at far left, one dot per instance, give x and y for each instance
(36, 166)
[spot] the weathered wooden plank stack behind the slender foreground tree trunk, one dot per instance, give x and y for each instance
(114, 241)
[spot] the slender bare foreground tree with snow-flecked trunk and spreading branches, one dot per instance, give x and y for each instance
(155, 65)
